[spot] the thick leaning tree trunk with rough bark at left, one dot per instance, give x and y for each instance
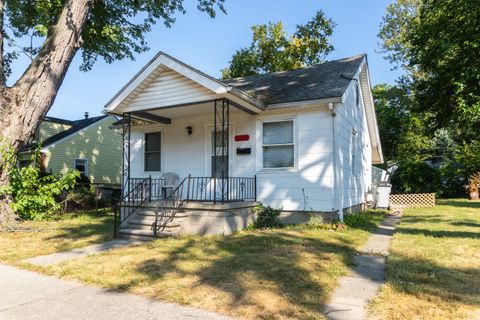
(24, 105)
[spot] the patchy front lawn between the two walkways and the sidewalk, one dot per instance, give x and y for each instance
(280, 274)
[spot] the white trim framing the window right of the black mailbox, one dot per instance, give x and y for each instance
(283, 118)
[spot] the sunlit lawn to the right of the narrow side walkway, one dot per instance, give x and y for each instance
(433, 271)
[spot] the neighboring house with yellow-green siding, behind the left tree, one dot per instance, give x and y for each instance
(90, 145)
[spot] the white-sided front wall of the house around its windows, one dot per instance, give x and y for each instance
(306, 186)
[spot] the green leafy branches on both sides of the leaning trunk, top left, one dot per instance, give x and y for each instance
(115, 29)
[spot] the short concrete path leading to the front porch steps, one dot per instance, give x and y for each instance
(54, 258)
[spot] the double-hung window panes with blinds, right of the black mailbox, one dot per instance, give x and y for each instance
(278, 146)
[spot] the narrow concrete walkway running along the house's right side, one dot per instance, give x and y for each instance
(350, 299)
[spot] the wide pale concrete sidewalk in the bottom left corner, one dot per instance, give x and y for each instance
(28, 295)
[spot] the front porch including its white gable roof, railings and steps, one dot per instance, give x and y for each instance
(180, 121)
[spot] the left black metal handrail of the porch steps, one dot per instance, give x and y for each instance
(139, 190)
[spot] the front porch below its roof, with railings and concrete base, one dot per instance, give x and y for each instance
(167, 142)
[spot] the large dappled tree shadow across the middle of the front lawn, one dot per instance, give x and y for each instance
(272, 262)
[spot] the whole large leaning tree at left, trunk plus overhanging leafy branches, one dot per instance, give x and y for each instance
(51, 33)
